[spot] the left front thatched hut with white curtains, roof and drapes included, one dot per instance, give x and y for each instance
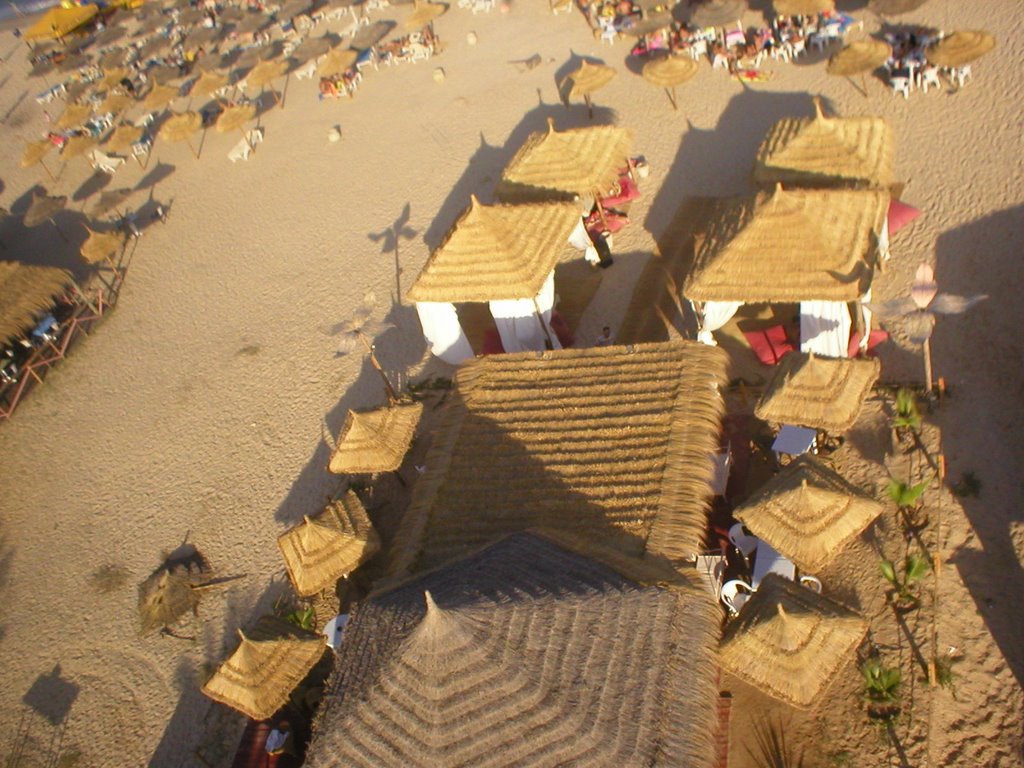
(504, 255)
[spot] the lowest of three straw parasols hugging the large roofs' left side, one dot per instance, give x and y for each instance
(267, 667)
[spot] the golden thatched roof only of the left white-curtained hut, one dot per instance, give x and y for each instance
(497, 252)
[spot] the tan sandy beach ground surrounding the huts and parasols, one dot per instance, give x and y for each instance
(198, 410)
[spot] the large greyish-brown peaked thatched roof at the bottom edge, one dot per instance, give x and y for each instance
(525, 654)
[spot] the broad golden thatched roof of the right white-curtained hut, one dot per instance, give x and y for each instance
(797, 245)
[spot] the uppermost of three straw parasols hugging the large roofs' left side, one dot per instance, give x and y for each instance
(376, 441)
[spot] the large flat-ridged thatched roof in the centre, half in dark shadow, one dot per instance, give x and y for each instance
(613, 444)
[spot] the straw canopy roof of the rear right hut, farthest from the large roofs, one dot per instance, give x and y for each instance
(827, 152)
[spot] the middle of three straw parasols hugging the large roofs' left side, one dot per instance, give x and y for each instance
(329, 546)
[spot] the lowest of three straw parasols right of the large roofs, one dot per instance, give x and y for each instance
(790, 642)
